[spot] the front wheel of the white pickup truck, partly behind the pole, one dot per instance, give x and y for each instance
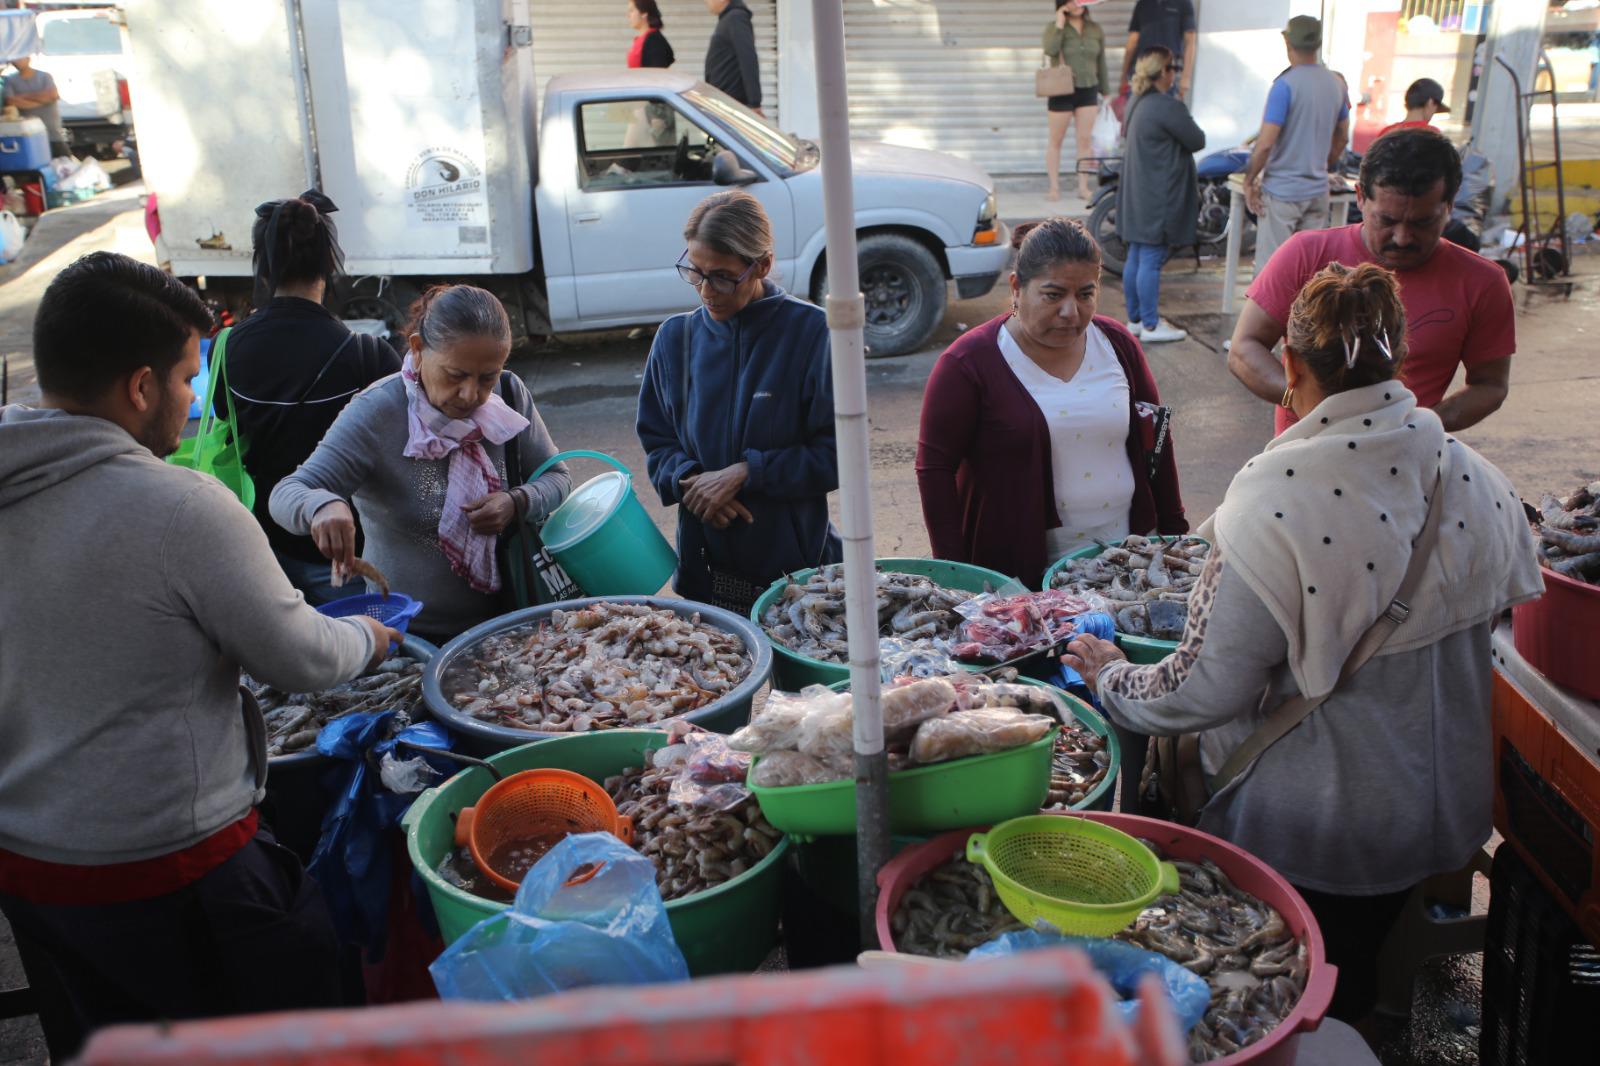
(906, 294)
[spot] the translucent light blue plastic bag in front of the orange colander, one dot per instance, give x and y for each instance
(558, 936)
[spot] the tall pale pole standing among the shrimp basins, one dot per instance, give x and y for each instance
(846, 321)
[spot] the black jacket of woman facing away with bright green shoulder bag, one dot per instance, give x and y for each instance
(273, 358)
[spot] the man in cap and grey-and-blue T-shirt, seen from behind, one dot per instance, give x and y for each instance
(1303, 134)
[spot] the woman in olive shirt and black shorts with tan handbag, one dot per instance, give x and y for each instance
(1073, 84)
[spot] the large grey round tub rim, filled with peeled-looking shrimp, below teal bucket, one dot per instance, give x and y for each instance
(487, 739)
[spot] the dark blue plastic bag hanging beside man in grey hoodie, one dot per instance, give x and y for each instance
(353, 859)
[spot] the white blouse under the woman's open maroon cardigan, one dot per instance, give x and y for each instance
(1089, 443)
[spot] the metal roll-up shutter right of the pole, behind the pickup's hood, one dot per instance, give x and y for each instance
(958, 76)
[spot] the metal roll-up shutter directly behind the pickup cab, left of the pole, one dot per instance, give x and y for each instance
(570, 36)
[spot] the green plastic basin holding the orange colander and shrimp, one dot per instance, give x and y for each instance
(729, 929)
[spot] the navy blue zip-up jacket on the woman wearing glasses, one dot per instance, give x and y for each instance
(759, 390)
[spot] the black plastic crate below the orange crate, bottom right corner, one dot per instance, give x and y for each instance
(1542, 990)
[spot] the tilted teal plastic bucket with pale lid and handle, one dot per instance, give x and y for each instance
(604, 539)
